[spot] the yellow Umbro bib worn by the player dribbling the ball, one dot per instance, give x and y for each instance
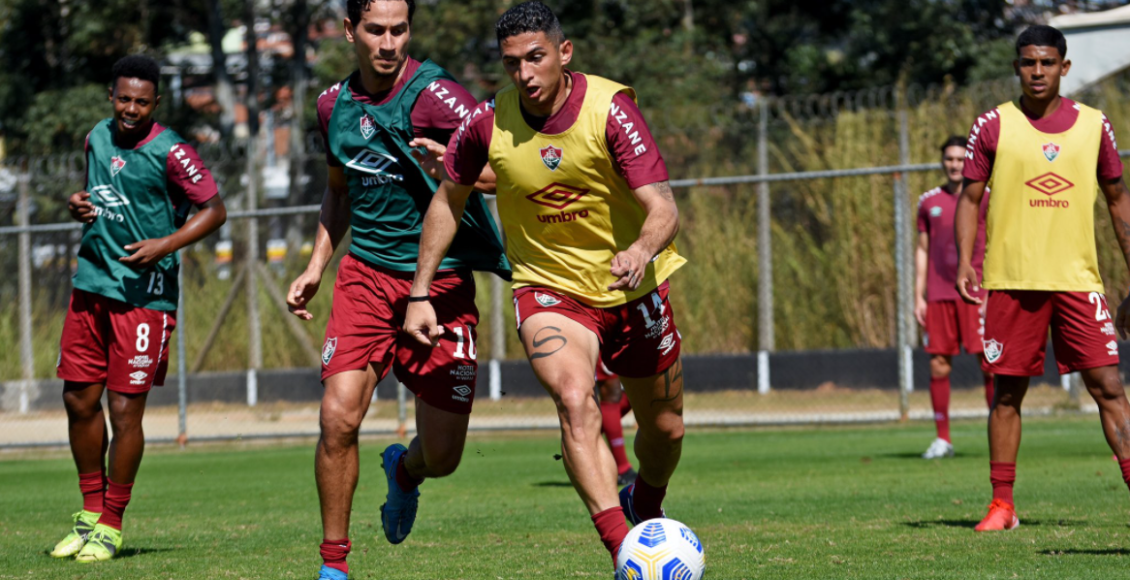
(564, 207)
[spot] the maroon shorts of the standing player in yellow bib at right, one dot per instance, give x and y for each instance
(1016, 332)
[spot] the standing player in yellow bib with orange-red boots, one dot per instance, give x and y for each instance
(1045, 158)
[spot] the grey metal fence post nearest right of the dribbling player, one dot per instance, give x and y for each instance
(764, 254)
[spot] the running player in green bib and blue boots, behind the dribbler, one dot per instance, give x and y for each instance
(377, 188)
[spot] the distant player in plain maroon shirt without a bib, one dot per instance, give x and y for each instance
(950, 323)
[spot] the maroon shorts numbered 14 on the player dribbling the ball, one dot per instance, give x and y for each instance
(638, 340)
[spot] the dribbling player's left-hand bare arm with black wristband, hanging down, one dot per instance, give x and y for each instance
(440, 227)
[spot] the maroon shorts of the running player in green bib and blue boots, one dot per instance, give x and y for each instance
(366, 328)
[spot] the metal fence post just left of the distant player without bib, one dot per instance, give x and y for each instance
(902, 265)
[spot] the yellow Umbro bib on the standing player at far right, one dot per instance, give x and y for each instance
(1041, 224)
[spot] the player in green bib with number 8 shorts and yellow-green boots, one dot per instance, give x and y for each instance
(142, 180)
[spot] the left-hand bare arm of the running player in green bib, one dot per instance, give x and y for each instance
(333, 224)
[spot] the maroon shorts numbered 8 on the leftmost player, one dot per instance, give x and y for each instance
(112, 343)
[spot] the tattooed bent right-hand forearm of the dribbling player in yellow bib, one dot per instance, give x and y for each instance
(659, 231)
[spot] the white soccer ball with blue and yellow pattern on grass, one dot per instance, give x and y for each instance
(660, 550)
